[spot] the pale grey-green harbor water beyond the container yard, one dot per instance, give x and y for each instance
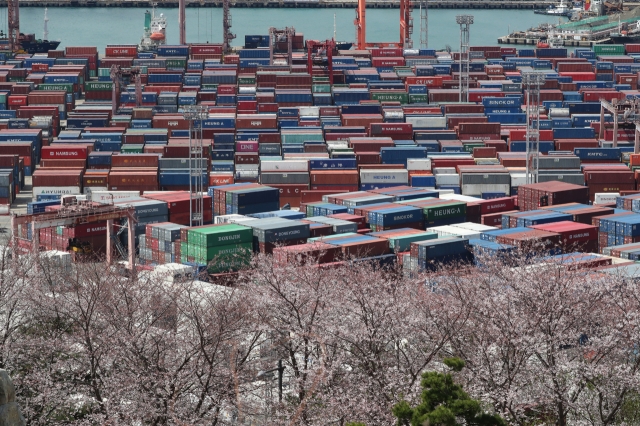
(102, 26)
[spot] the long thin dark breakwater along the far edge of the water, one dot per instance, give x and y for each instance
(375, 4)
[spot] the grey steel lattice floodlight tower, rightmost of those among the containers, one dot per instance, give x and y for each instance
(532, 82)
